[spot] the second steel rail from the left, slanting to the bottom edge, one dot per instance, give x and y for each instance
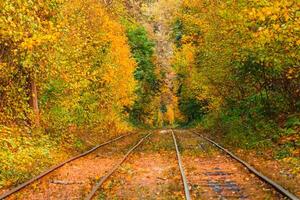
(104, 178)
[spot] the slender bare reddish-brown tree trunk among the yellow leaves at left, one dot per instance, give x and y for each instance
(34, 102)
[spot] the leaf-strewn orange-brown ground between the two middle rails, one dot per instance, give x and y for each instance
(151, 173)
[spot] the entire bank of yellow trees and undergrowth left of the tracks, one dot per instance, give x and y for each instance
(67, 79)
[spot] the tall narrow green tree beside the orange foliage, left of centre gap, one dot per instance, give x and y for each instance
(148, 85)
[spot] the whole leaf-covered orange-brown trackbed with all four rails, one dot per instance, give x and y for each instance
(167, 164)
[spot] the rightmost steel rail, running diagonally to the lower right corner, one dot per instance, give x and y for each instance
(275, 185)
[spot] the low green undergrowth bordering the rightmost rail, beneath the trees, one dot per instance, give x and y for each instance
(256, 133)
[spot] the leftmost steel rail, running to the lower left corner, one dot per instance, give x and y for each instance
(23, 185)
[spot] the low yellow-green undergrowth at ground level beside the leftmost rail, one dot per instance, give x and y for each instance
(25, 153)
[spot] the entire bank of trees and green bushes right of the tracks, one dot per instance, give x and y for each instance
(237, 65)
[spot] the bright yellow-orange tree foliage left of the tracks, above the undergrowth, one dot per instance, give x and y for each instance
(75, 47)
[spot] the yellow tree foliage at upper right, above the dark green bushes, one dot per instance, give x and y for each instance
(221, 33)
